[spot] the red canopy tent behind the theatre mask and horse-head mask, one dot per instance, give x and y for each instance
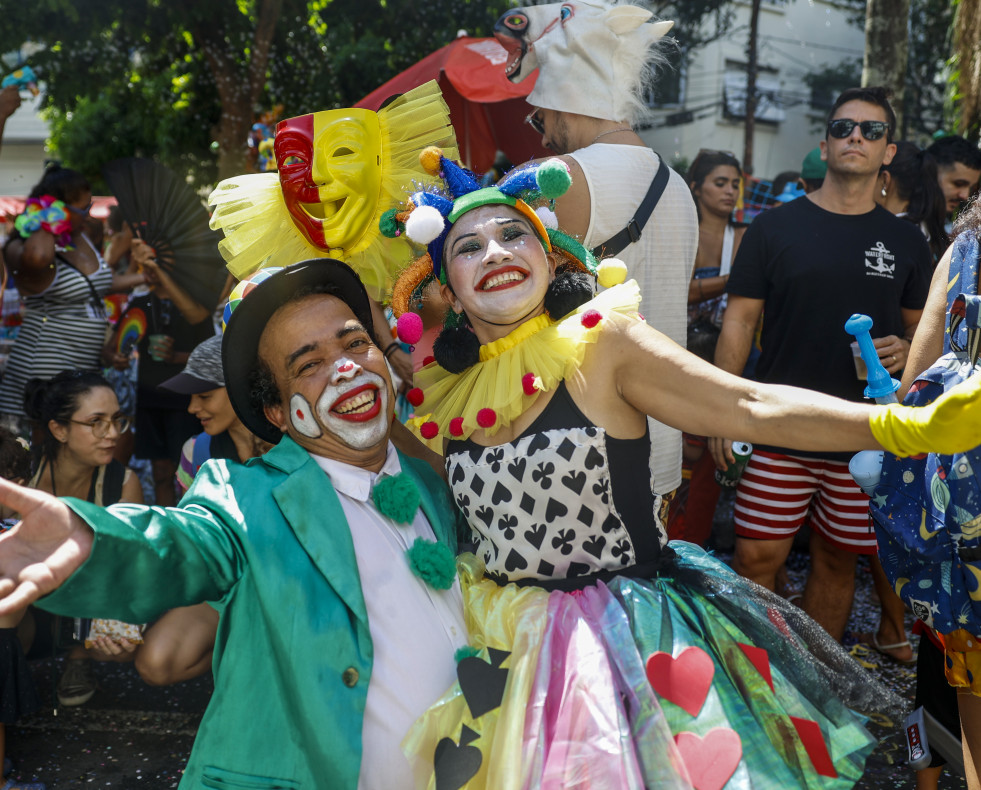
(486, 109)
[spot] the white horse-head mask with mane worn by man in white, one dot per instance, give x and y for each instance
(593, 58)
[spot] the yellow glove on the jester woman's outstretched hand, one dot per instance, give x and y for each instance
(951, 424)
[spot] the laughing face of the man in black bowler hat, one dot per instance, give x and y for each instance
(332, 378)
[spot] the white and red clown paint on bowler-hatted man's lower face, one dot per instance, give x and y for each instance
(354, 407)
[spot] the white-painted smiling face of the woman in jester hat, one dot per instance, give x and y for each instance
(497, 269)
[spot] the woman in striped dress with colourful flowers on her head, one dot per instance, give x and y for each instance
(62, 278)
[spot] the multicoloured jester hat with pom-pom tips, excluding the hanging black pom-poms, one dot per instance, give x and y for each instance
(431, 213)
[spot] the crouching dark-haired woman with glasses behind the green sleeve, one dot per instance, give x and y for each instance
(80, 423)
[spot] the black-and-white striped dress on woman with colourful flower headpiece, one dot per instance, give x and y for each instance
(63, 328)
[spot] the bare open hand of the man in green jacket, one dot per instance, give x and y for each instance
(42, 550)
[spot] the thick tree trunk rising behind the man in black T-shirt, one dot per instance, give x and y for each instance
(887, 49)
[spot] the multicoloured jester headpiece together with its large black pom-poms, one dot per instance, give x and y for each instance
(431, 213)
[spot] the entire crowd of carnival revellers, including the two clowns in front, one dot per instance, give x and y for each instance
(512, 588)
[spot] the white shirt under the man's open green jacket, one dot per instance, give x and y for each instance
(415, 629)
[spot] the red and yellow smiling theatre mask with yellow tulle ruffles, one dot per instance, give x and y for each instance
(338, 172)
